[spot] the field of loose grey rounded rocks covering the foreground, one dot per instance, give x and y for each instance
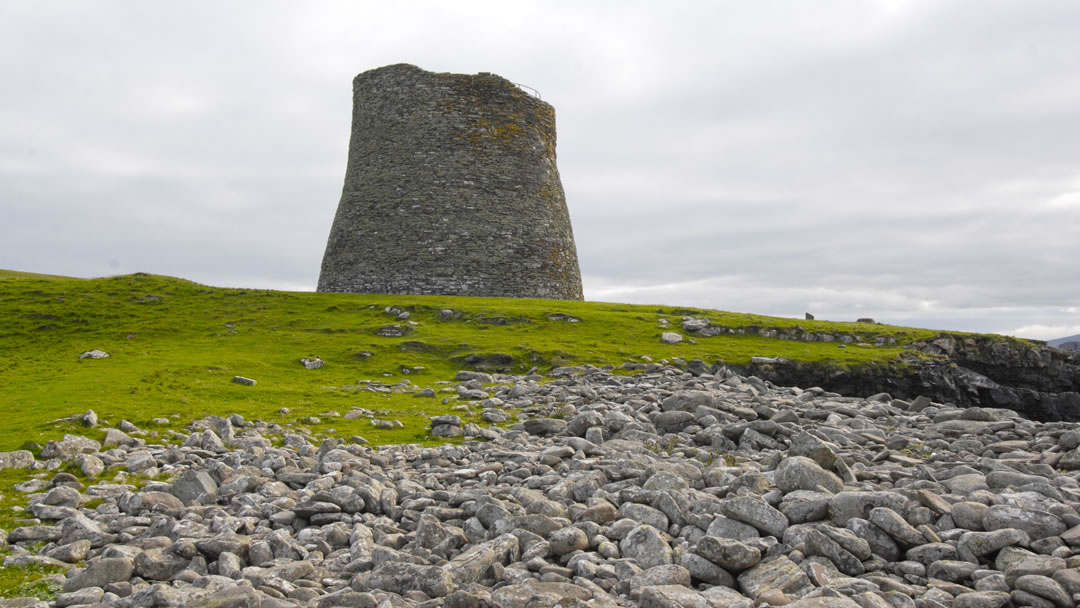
(667, 489)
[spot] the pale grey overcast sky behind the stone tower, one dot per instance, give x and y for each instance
(913, 161)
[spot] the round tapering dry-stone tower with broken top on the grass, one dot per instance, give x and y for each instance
(452, 188)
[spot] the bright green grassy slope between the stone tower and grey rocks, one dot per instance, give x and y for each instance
(175, 347)
